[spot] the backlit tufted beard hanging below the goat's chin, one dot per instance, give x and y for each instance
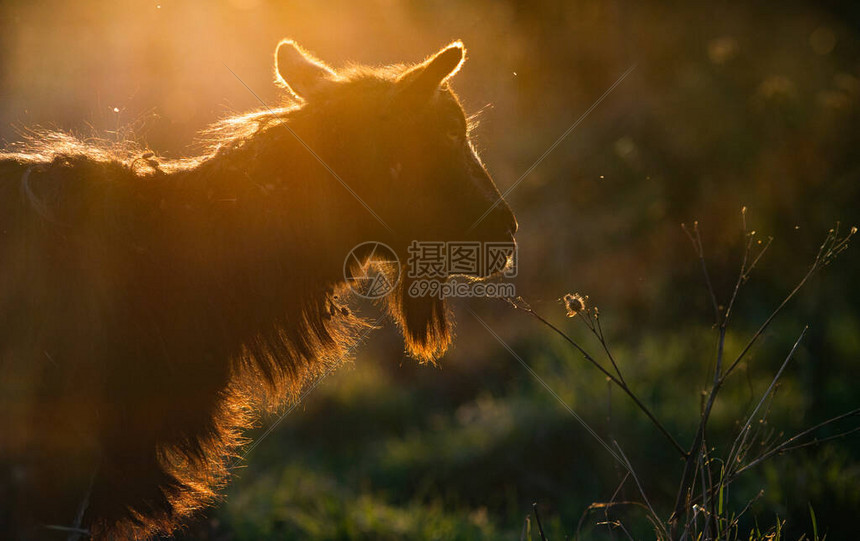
(424, 321)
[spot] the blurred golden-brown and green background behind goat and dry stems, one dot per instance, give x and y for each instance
(729, 105)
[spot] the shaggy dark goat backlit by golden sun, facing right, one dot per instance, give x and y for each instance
(148, 307)
